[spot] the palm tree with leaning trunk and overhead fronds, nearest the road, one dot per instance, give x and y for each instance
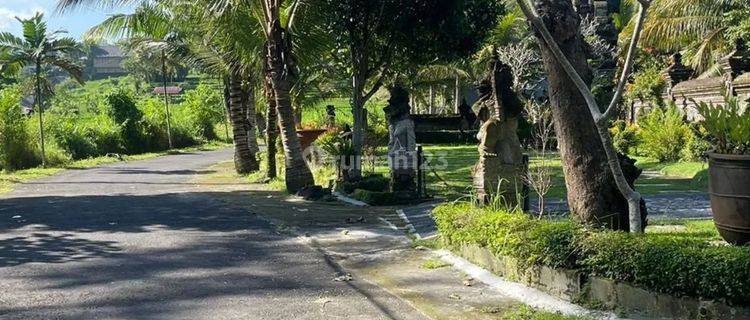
(279, 65)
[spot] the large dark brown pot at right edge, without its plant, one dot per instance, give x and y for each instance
(729, 187)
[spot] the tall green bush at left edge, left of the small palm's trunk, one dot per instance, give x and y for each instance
(15, 146)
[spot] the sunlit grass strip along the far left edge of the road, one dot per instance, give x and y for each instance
(8, 179)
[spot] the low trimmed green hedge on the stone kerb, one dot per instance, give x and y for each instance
(672, 265)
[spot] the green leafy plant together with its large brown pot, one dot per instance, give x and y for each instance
(728, 126)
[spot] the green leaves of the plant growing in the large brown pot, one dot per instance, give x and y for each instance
(728, 126)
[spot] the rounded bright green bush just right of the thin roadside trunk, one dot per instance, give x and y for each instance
(204, 105)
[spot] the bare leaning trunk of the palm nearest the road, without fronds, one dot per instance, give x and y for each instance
(297, 174)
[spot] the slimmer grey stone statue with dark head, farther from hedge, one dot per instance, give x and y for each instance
(402, 147)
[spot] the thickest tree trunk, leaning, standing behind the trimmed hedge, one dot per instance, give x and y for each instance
(592, 192)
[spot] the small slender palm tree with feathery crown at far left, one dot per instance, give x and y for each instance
(39, 49)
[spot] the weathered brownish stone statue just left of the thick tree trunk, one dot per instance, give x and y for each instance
(500, 169)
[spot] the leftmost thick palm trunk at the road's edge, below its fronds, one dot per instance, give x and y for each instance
(244, 159)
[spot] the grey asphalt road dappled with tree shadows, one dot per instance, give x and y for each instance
(139, 241)
